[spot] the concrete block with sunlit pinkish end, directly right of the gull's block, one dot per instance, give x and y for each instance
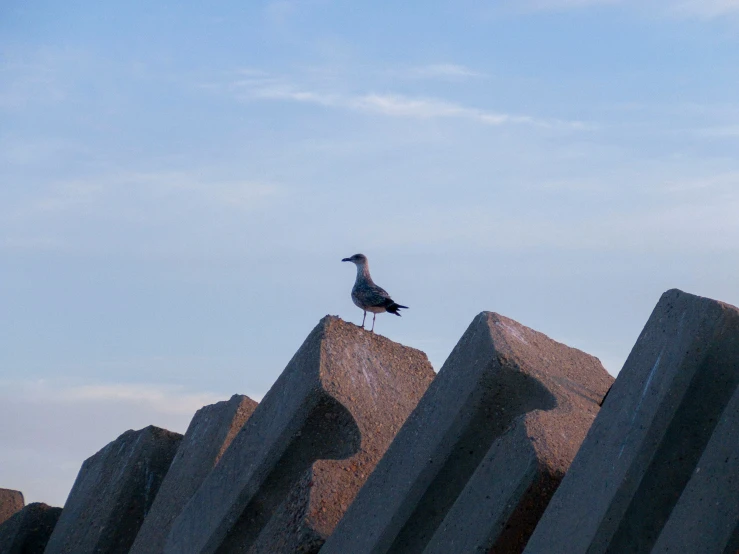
(476, 462)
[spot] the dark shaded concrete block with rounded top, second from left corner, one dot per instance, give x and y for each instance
(113, 492)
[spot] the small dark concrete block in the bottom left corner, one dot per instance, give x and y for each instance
(28, 531)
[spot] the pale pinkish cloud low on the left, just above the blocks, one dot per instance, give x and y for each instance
(64, 424)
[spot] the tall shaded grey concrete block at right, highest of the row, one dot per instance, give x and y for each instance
(650, 433)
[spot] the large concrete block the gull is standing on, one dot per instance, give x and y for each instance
(297, 463)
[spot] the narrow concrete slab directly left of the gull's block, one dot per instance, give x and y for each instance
(208, 436)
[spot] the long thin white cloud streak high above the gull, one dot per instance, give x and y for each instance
(387, 104)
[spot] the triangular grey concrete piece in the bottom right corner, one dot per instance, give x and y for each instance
(706, 518)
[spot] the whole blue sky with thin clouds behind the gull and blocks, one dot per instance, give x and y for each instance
(179, 182)
